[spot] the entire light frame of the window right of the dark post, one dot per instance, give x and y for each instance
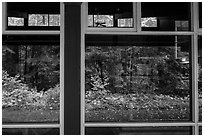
(194, 32)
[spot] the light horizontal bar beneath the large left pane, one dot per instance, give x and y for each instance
(36, 125)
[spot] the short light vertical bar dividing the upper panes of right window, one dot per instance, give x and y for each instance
(138, 17)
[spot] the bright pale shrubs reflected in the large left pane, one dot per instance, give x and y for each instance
(18, 95)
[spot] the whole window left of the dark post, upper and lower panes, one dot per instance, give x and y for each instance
(31, 86)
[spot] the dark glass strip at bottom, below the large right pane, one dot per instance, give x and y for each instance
(138, 131)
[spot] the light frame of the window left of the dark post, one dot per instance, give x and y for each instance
(60, 32)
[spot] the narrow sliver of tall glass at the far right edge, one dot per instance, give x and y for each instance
(200, 76)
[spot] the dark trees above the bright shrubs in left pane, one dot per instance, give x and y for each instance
(37, 65)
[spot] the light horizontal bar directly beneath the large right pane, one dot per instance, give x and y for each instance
(136, 124)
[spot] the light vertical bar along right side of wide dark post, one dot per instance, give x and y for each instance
(84, 24)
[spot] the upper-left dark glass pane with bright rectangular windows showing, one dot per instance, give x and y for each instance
(33, 15)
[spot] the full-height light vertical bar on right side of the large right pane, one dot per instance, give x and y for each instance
(194, 47)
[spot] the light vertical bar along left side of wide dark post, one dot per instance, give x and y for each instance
(62, 68)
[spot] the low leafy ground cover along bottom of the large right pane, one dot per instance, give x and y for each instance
(137, 107)
